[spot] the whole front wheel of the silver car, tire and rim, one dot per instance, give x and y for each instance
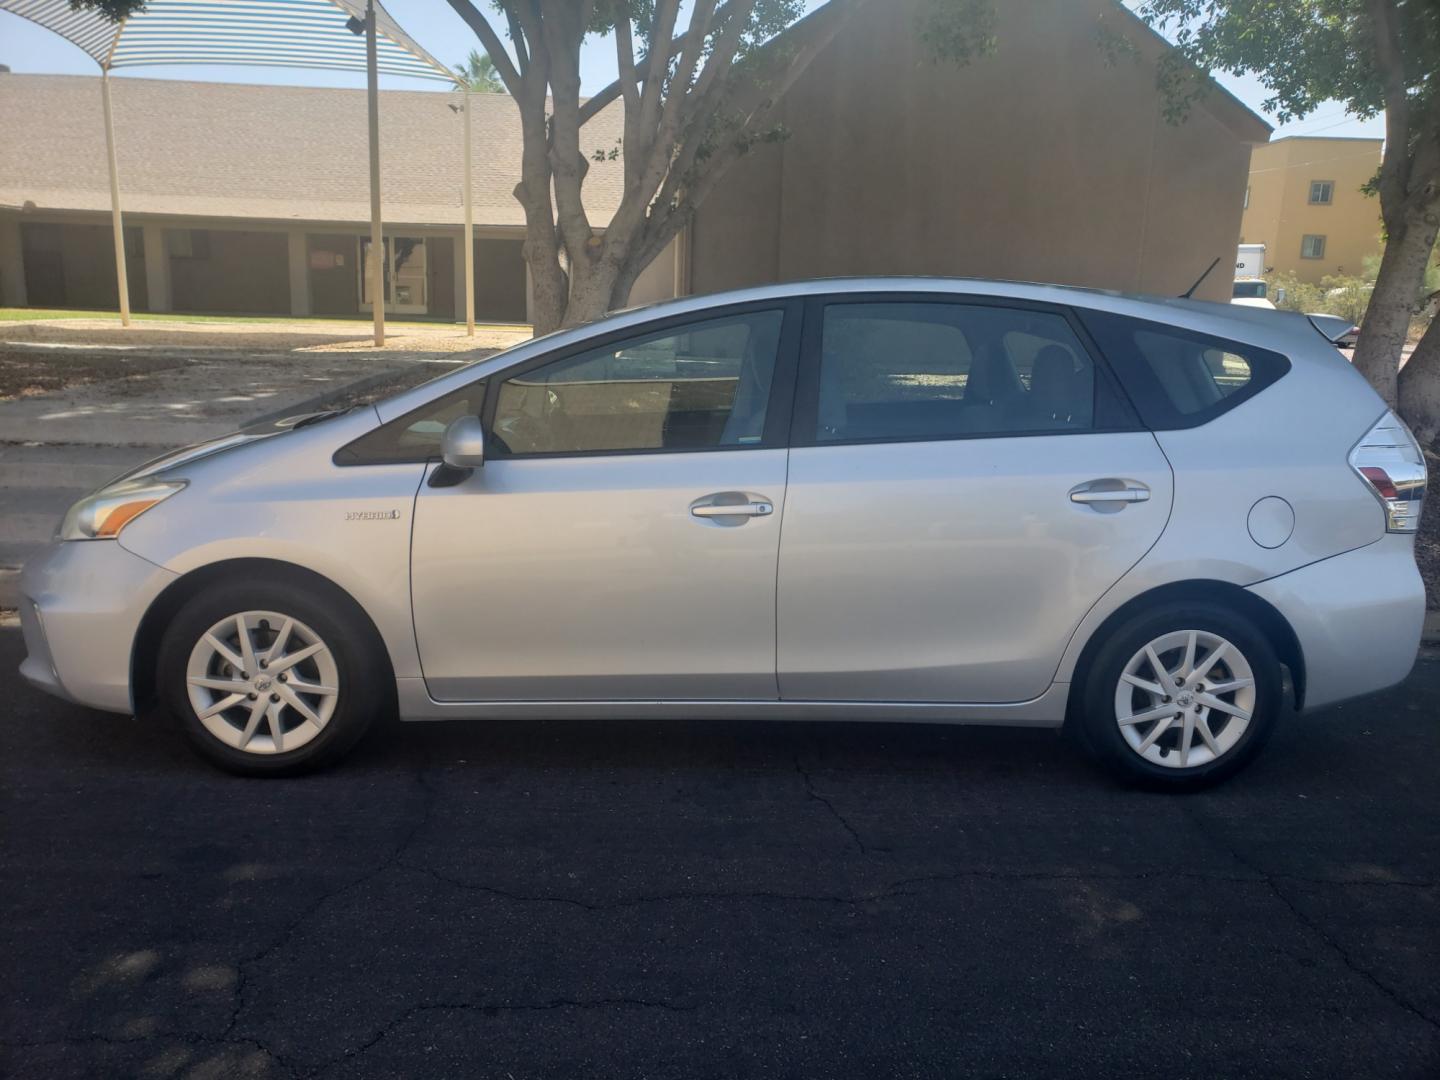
(267, 679)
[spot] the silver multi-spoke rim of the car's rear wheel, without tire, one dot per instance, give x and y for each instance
(1186, 699)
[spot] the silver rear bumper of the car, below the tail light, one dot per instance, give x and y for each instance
(1359, 618)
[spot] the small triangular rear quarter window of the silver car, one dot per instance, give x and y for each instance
(1180, 379)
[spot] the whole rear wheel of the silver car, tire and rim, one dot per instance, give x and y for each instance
(1182, 696)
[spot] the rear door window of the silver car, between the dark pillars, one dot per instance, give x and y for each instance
(935, 371)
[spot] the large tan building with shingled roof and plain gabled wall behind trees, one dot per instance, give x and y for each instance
(1043, 163)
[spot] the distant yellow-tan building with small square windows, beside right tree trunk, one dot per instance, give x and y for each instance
(1307, 207)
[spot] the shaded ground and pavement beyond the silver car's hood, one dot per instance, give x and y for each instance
(80, 407)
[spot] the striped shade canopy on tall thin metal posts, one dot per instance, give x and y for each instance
(338, 35)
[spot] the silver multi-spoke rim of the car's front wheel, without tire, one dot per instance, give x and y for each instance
(263, 682)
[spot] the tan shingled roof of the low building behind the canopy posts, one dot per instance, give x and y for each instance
(271, 153)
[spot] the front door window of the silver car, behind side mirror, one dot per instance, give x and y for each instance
(703, 387)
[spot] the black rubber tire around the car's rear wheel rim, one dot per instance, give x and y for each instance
(1097, 724)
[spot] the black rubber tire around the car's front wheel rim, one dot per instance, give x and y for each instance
(365, 690)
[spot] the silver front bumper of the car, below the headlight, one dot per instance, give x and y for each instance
(81, 604)
